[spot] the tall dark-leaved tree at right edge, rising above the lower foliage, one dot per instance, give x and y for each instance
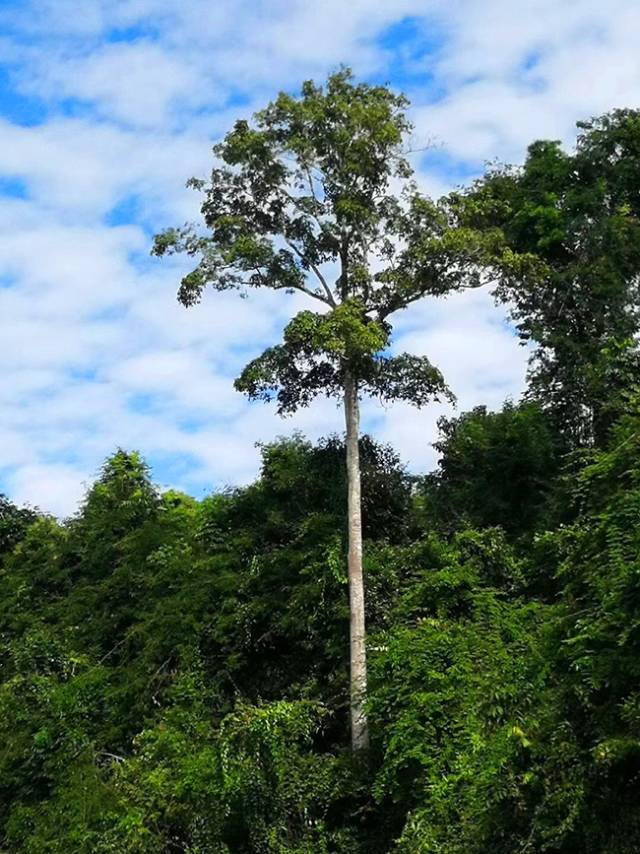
(578, 213)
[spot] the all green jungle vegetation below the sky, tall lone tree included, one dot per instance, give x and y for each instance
(175, 673)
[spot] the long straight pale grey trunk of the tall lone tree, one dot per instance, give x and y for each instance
(358, 651)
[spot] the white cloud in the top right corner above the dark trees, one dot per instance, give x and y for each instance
(514, 72)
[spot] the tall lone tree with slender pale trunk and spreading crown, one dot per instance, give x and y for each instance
(317, 196)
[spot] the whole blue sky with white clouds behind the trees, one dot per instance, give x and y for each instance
(108, 106)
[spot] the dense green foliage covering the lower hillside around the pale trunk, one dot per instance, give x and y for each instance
(174, 677)
